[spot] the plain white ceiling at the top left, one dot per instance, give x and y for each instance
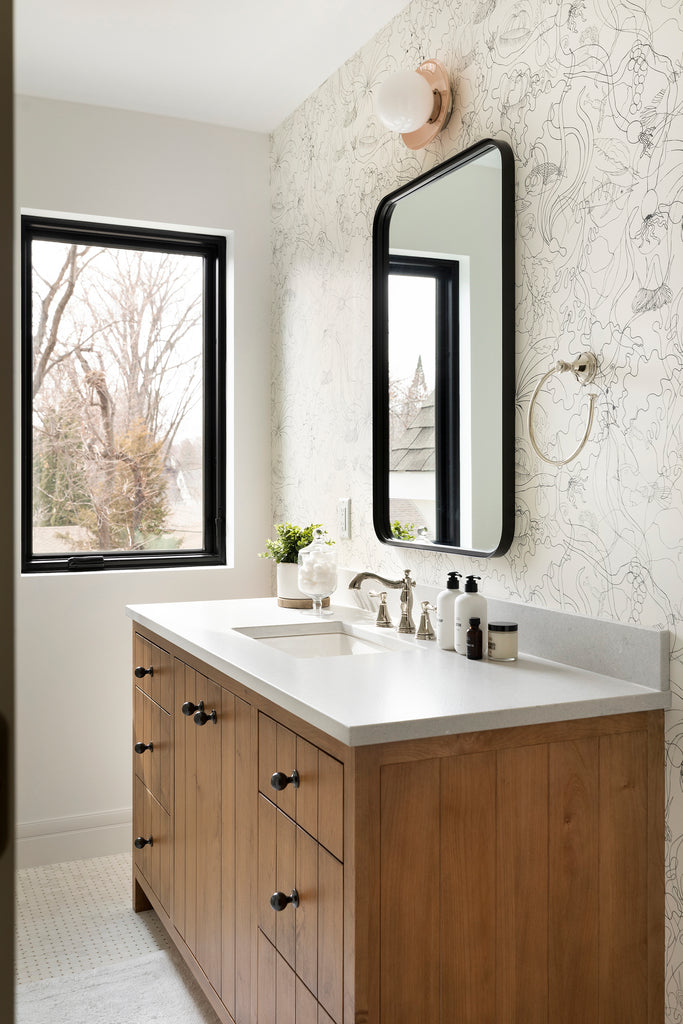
(245, 65)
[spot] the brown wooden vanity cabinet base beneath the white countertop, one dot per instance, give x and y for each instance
(508, 877)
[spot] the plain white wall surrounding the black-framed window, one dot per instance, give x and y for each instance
(73, 644)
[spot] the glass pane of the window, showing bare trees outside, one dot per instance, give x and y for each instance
(118, 400)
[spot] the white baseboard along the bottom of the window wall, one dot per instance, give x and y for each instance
(77, 838)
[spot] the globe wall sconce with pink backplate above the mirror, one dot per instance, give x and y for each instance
(417, 104)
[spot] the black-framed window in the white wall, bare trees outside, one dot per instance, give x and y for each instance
(123, 397)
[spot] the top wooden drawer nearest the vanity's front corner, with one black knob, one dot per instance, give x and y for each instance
(315, 796)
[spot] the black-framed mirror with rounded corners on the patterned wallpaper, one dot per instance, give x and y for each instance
(444, 357)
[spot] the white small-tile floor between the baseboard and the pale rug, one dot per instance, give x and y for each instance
(78, 916)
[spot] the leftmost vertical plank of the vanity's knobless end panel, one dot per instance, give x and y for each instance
(410, 893)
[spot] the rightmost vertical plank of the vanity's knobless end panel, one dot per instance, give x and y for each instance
(624, 959)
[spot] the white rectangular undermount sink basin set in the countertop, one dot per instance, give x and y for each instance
(334, 639)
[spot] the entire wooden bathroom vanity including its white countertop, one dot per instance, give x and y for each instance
(395, 836)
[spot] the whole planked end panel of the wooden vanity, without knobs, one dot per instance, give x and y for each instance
(518, 884)
